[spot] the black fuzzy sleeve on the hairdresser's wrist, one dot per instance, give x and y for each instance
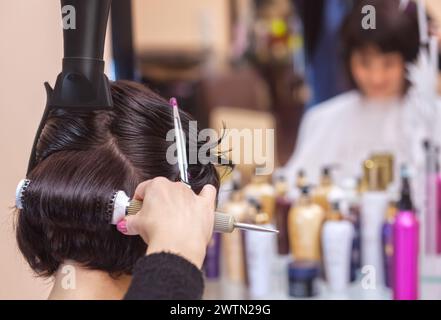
(165, 276)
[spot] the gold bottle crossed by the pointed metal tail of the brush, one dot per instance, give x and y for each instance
(233, 253)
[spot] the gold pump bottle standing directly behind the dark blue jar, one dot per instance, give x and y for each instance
(305, 220)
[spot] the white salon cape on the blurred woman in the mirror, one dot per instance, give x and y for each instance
(346, 130)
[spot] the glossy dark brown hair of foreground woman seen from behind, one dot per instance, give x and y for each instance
(82, 159)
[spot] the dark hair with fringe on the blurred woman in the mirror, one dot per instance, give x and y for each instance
(396, 31)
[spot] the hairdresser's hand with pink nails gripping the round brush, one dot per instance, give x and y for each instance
(173, 218)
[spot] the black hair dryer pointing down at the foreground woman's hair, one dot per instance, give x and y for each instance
(82, 83)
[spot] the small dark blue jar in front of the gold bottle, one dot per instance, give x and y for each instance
(302, 277)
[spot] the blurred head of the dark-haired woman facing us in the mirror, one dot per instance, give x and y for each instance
(377, 58)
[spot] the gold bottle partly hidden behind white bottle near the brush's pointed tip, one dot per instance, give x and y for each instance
(261, 190)
